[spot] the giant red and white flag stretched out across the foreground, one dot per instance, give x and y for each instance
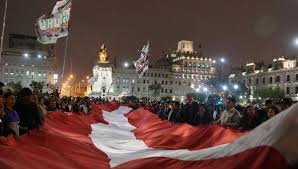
(116, 137)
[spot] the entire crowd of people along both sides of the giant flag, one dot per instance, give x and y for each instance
(26, 111)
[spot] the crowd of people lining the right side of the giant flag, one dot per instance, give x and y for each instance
(232, 115)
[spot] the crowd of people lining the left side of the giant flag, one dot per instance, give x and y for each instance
(24, 111)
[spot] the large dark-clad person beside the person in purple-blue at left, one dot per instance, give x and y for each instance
(30, 115)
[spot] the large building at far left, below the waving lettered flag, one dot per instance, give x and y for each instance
(23, 63)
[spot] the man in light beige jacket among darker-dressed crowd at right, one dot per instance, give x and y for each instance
(230, 117)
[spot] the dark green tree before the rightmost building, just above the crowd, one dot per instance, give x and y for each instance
(274, 93)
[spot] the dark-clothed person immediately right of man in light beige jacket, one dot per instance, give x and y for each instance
(250, 119)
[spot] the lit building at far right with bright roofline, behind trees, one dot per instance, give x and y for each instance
(282, 73)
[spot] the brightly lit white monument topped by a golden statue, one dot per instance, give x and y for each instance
(101, 82)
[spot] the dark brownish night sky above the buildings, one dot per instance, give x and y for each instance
(240, 30)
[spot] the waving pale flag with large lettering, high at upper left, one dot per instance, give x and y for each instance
(49, 28)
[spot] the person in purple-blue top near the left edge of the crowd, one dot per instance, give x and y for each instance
(11, 116)
